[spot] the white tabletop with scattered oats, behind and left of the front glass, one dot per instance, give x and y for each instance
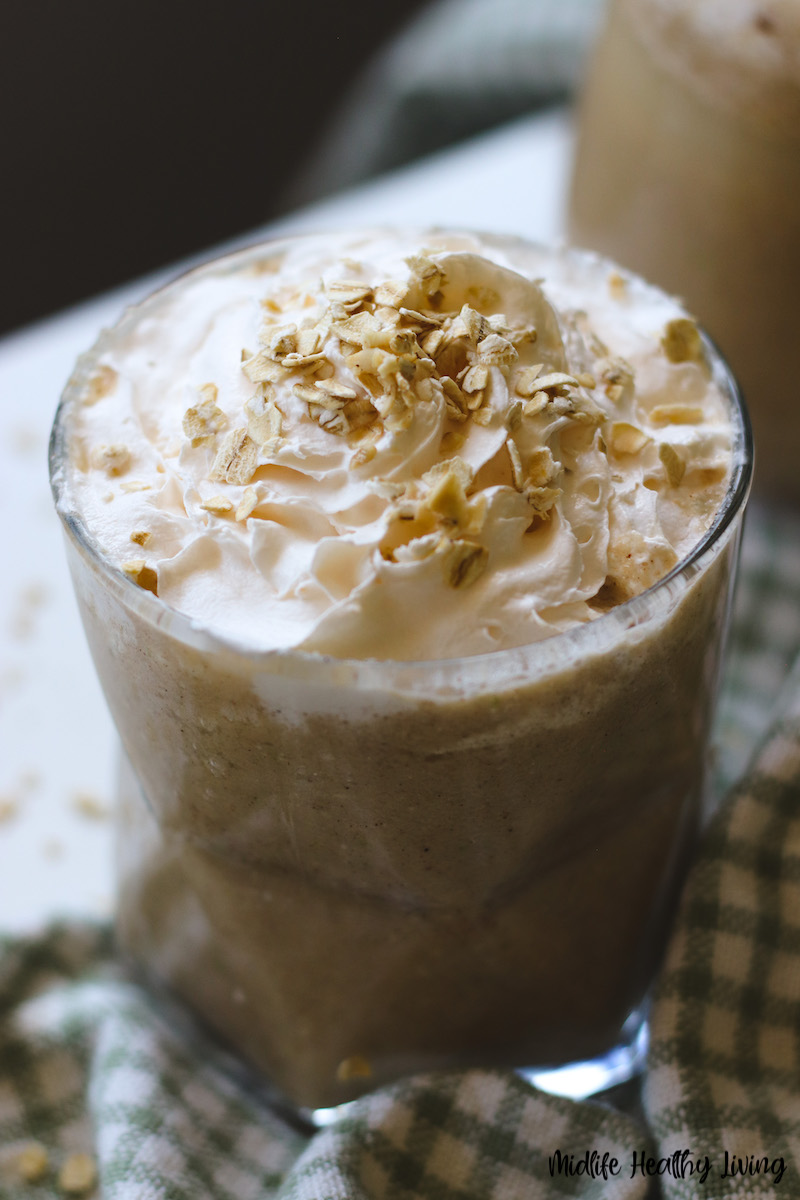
(57, 740)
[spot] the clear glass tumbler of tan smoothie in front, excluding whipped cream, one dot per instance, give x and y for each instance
(358, 871)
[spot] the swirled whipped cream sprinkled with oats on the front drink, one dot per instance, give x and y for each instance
(399, 446)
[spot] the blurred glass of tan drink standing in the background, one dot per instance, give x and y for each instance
(688, 171)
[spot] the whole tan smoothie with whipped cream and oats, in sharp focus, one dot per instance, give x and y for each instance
(406, 562)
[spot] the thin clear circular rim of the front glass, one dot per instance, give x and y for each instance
(543, 655)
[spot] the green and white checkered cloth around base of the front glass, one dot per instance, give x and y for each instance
(87, 1066)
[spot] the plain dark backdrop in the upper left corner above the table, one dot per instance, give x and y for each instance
(135, 134)
